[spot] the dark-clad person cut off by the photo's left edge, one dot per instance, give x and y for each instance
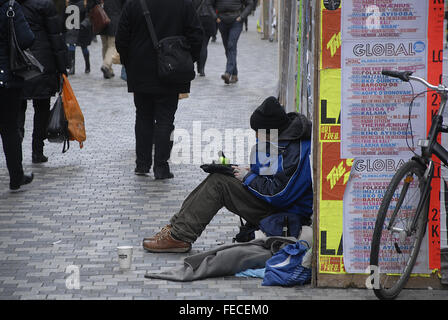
(10, 90)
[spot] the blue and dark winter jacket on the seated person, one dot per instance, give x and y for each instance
(285, 181)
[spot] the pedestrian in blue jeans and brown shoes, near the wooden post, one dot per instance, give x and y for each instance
(230, 24)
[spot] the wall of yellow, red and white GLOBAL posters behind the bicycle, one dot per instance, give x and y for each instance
(374, 124)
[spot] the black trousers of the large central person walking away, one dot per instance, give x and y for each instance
(154, 124)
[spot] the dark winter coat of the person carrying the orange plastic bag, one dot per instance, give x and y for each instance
(48, 48)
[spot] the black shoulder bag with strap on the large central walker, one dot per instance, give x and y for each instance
(174, 62)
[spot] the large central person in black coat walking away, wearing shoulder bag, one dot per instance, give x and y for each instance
(156, 102)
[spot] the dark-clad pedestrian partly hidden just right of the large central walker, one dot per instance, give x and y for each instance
(205, 13)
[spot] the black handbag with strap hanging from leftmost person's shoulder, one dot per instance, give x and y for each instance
(22, 62)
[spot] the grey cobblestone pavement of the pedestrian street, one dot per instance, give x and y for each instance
(84, 203)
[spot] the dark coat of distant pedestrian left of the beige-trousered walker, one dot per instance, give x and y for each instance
(83, 36)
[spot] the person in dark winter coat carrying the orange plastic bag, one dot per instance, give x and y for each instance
(50, 50)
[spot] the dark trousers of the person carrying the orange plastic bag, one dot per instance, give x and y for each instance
(40, 123)
